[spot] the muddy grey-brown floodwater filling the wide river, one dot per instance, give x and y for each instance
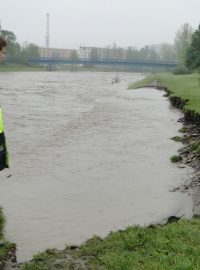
(87, 157)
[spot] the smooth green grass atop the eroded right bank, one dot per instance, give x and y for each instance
(183, 86)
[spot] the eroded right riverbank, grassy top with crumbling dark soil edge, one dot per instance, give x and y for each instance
(183, 93)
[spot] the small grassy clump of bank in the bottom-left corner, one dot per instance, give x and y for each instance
(7, 250)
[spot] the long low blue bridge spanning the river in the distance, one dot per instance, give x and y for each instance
(103, 62)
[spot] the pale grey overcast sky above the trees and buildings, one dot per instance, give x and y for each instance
(98, 22)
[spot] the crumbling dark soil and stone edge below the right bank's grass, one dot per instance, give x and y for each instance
(189, 152)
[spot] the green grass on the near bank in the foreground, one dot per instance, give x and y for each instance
(175, 246)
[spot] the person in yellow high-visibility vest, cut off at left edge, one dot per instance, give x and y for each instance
(3, 149)
